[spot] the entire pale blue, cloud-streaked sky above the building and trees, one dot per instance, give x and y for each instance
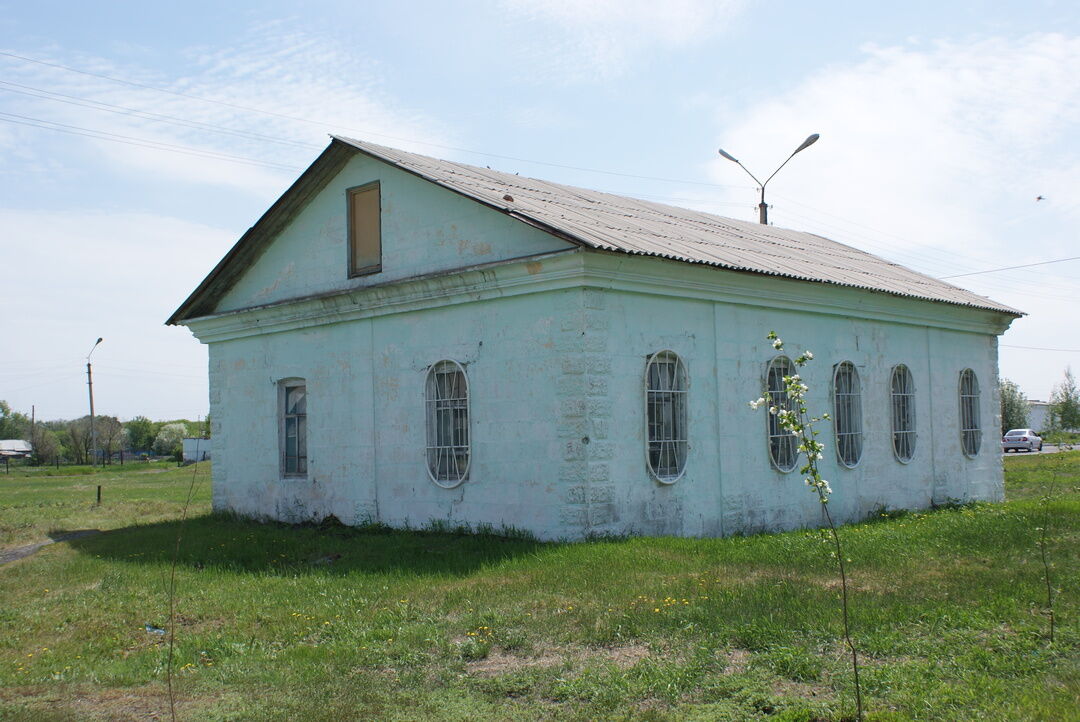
(941, 124)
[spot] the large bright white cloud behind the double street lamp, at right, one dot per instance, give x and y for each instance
(934, 157)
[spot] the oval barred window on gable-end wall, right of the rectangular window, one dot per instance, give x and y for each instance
(448, 401)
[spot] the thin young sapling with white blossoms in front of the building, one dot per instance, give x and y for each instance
(793, 416)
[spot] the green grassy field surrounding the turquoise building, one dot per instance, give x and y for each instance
(274, 625)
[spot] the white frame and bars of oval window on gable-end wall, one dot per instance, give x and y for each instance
(435, 428)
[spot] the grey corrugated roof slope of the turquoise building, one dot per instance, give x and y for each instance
(633, 226)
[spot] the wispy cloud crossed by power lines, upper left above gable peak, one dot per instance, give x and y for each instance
(309, 86)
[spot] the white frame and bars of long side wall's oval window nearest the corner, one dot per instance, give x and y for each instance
(678, 400)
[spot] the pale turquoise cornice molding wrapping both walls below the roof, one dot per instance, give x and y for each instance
(579, 269)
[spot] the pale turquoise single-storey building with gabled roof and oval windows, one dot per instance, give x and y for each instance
(406, 340)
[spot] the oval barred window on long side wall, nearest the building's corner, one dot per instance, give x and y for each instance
(666, 408)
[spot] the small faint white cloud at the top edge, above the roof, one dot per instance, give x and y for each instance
(572, 42)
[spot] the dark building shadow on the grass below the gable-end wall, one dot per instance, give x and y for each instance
(226, 542)
